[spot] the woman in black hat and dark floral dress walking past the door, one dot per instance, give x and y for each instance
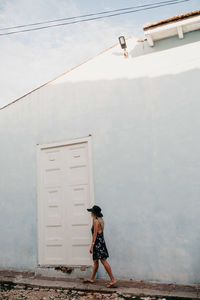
(98, 247)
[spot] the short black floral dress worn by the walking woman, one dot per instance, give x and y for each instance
(99, 250)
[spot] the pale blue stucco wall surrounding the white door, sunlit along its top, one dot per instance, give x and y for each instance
(145, 136)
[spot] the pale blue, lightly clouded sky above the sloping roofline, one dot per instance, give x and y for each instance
(29, 59)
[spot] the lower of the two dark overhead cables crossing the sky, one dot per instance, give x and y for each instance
(96, 18)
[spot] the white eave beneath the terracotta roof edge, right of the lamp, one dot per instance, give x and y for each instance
(172, 29)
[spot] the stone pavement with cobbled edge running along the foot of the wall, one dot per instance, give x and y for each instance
(19, 285)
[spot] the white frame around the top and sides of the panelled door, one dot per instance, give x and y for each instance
(39, 147)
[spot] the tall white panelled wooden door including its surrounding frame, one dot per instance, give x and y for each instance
(65, 191)
